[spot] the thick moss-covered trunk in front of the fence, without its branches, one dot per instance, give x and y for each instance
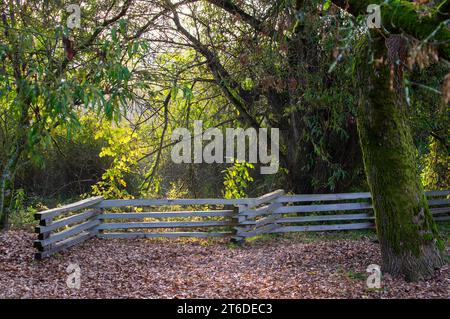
(408, 236)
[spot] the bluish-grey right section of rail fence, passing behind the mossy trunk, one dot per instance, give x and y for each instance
(280, 213)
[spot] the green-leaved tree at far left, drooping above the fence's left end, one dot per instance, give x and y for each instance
(48, 71)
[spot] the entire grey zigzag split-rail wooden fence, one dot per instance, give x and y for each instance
(63, 227)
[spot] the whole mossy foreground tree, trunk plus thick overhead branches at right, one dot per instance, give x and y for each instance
(409, 240)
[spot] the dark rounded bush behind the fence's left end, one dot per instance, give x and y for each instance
(68, 166)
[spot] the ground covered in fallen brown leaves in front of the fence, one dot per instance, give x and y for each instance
(270, 268)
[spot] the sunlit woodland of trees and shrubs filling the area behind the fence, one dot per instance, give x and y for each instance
(136, 70)
